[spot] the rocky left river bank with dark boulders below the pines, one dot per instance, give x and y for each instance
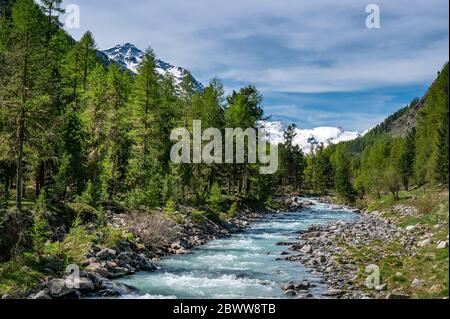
(104, 265)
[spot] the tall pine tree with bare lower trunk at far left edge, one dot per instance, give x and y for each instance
(25, 102)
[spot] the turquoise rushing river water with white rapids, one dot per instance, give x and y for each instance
(242, 266)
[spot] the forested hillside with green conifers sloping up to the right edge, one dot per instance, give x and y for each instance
(410, 148)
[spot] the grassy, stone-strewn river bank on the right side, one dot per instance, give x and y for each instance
(399, 251)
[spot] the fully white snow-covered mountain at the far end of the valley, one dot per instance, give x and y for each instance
(306, 139)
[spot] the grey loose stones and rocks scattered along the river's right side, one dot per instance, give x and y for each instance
(324, 251)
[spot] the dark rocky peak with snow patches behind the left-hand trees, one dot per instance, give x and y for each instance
(129, 56)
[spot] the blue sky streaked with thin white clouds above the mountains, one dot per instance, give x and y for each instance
(315, 62)
